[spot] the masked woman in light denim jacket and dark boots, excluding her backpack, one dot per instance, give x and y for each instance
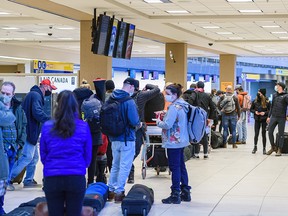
(175, 138)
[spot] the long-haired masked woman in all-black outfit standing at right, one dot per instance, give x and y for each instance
(260, 108)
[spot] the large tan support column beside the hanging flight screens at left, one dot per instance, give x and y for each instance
(92, 66)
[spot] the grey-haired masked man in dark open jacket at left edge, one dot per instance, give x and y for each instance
(14, 135)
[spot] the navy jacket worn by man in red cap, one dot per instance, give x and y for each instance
(33, 107)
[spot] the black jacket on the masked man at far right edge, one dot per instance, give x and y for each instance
(279, 105)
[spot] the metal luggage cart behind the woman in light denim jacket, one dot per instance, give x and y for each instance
(153, 132)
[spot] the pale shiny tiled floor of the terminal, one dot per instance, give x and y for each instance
(231, 182)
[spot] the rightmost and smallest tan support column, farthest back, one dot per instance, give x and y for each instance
(227, 71)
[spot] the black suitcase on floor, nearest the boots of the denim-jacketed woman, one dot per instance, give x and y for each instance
(138, 201)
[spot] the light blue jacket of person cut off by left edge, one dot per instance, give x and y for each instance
(6, 119)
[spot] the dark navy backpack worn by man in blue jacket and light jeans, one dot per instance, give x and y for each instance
(111, 121)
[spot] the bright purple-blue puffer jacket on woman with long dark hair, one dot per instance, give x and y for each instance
(70, 156)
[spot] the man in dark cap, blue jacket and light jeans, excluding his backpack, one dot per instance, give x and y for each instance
(123, 146)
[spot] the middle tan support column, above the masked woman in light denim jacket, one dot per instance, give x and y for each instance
(176, 63)
